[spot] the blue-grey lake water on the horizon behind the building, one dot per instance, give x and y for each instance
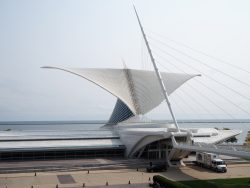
(54, 126)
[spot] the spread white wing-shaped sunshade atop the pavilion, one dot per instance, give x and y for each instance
(138, 89)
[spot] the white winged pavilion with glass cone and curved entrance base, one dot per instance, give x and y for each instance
(138, 92)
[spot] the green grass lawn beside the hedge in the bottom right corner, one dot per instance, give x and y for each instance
(219, 183)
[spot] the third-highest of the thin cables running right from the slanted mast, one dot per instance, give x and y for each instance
(197, 70)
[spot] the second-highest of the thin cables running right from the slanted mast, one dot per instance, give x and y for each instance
(201, 62)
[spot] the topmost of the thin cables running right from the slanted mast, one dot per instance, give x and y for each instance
(200, 52)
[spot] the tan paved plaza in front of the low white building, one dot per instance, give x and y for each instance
(113, 178)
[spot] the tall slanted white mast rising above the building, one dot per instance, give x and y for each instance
(158, 74)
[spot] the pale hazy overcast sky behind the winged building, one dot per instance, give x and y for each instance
(97, 33)
